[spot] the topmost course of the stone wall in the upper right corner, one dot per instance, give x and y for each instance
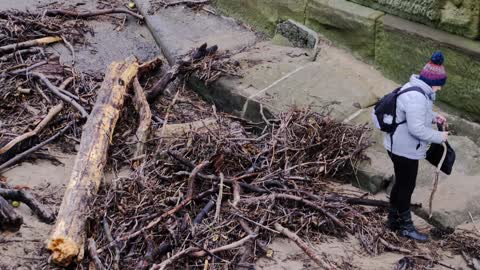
(459, 17)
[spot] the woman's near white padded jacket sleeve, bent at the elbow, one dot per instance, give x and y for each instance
(416, 112)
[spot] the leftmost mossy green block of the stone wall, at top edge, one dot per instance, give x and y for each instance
(264, 14)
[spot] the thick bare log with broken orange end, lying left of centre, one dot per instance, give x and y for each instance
(68, 236)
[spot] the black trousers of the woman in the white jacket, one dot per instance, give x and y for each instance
(405, 180)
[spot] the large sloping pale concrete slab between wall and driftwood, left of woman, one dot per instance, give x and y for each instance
(335, 79)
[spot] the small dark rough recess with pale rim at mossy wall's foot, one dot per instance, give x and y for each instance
(298, 34)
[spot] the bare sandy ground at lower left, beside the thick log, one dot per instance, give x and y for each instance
(22, 249)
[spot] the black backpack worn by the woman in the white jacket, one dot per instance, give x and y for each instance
(385, 111)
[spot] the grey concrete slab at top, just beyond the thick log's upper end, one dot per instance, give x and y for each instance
(178, 29)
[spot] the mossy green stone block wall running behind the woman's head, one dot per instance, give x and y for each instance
(398, 47)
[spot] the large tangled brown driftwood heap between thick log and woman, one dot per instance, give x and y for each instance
(214, 192)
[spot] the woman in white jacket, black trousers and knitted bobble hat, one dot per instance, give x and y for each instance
(410, 142)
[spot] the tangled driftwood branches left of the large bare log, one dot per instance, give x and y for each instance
(42, 100)
